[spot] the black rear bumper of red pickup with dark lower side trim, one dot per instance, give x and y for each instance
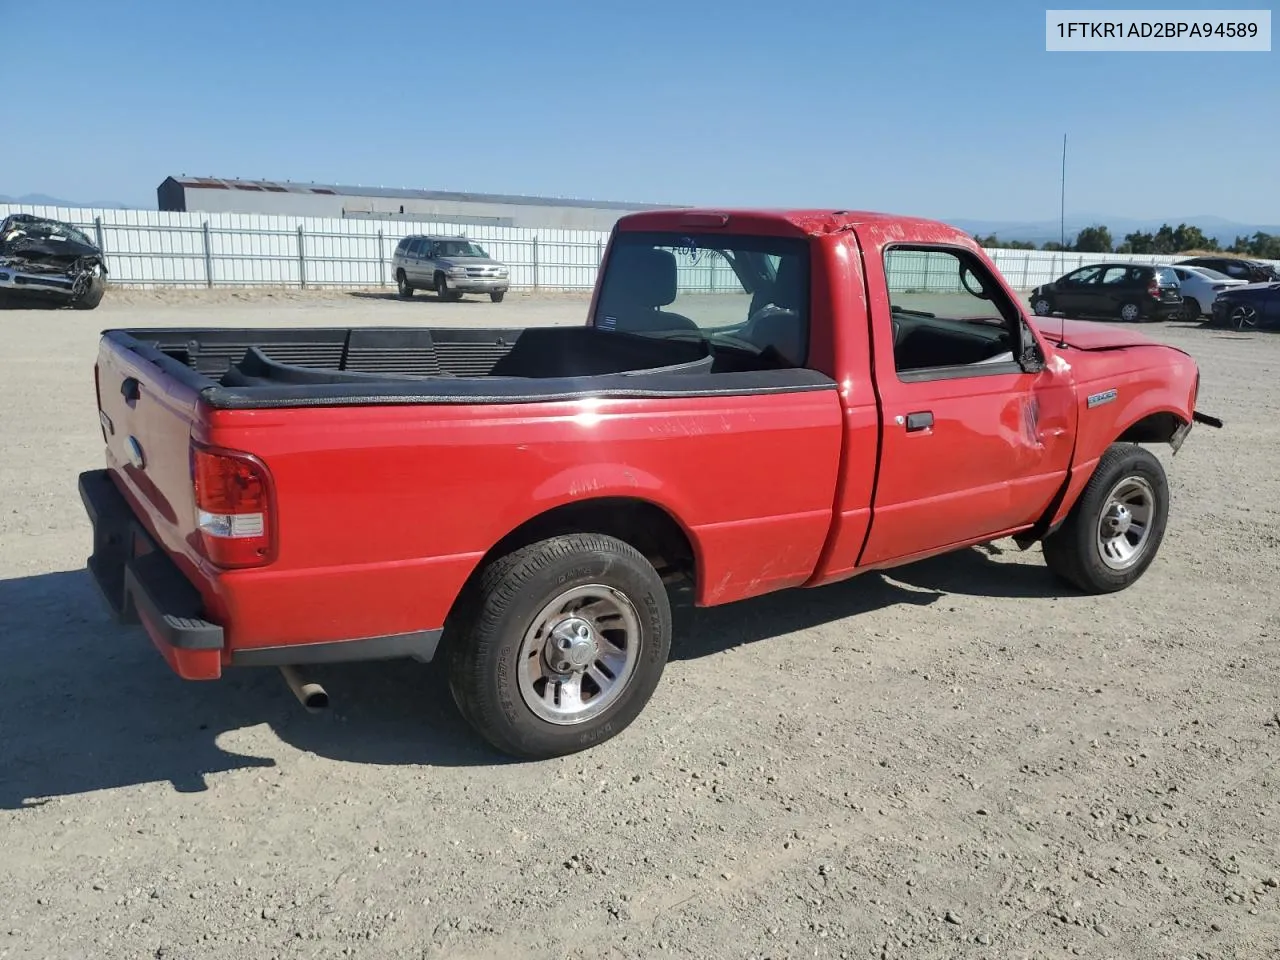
(144, 587)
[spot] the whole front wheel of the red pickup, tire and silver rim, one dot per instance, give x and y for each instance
(1116, 529)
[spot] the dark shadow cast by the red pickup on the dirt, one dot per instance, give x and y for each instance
(89, 706)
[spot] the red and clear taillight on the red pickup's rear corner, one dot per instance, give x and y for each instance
(234, 508)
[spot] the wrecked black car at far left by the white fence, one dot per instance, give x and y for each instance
(51, 259)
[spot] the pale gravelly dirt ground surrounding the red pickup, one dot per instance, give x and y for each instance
(959, 760)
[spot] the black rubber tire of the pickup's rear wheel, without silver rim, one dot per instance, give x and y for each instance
(486, 637)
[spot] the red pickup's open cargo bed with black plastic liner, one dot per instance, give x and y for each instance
(271, 368)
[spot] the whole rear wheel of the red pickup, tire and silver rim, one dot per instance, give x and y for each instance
(561, 646)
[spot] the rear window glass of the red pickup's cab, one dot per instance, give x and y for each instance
(734, 290)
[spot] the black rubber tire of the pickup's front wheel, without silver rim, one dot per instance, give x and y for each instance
(1075, 552)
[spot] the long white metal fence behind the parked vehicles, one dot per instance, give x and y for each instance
(156, 249)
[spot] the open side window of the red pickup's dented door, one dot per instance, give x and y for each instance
(949, 316)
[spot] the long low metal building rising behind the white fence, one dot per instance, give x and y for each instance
(217, 195)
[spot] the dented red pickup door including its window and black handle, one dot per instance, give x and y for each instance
(976, 432)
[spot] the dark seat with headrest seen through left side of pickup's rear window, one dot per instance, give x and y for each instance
(638, 284)
